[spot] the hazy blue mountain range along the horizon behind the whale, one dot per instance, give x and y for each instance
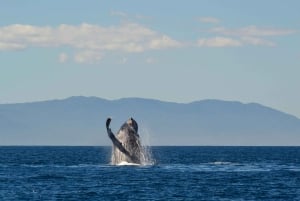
(81, 121)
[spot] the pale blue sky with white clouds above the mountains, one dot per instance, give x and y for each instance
(178, 51)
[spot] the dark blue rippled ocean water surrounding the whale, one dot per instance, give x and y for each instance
(179, 173)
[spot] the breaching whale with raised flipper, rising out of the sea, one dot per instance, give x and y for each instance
(126, 144)
